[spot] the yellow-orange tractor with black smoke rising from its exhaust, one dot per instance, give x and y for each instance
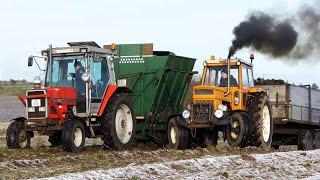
(226, 100)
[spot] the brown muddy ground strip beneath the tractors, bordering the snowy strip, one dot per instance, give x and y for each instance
(43, 161)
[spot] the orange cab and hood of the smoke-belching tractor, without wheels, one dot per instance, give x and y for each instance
(223, 85)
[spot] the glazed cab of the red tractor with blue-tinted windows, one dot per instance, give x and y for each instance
(83, 67)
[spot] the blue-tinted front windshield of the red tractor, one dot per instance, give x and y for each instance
(62, 71)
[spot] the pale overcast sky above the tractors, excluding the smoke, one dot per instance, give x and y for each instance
(193, 28)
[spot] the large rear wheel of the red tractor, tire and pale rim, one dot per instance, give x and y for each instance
(119, 124)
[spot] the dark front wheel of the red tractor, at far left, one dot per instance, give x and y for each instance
(16, 136)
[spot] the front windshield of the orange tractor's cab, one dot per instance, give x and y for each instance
(218, 76)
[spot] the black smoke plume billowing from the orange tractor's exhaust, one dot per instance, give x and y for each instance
(276, 37)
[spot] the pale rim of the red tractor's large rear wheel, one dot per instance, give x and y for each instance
(124, 123)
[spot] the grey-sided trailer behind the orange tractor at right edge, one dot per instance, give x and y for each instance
(296, 115)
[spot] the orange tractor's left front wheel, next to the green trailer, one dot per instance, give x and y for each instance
(182, 134)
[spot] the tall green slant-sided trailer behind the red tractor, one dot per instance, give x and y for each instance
(159, 81)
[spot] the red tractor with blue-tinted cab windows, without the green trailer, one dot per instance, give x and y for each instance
(80, 99)
